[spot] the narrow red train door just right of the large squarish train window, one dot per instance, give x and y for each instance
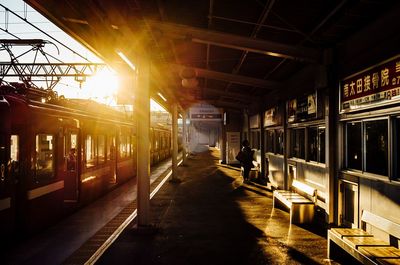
(71, 166)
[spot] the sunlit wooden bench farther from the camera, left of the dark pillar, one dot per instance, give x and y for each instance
(300, 202)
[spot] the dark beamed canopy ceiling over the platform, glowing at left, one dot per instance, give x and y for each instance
(241, 51)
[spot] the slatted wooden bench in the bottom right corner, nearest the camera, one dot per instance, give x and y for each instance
(364, 246)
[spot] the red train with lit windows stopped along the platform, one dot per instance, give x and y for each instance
(57, 155)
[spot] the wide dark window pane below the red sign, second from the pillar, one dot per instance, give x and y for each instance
(376, 142)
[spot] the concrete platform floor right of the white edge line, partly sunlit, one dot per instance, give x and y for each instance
(211, 217)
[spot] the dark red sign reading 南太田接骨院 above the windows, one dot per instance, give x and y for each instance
(372, 87)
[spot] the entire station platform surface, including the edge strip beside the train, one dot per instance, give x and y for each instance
(210, 217)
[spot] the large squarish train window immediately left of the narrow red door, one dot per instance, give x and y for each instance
(44, 166)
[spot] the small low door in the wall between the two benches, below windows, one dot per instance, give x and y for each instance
(348, 204)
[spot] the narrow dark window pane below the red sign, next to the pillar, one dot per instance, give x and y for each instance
(354, 155)
